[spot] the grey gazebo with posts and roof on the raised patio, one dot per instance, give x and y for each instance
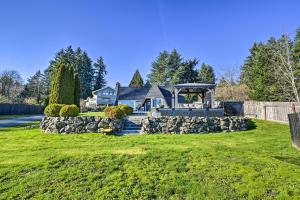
(200, 89)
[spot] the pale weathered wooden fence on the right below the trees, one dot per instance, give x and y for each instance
(273, 111)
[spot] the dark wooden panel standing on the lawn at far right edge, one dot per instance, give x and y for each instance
(294, 121)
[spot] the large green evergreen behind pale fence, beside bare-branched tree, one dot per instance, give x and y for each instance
(257, 73)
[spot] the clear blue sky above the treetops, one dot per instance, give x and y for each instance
(129, 34)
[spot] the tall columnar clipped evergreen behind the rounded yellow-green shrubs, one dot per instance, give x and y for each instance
(63, 85)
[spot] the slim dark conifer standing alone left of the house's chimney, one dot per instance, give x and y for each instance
(100, 68)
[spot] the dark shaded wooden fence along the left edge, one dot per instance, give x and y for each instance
(20, 109)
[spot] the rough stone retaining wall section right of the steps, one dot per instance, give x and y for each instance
(184, 125)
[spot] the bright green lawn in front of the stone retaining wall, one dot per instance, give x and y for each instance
(254, 164)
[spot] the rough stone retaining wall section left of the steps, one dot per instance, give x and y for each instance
(81, 124)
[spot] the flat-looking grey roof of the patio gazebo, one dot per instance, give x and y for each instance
(194, 87)
